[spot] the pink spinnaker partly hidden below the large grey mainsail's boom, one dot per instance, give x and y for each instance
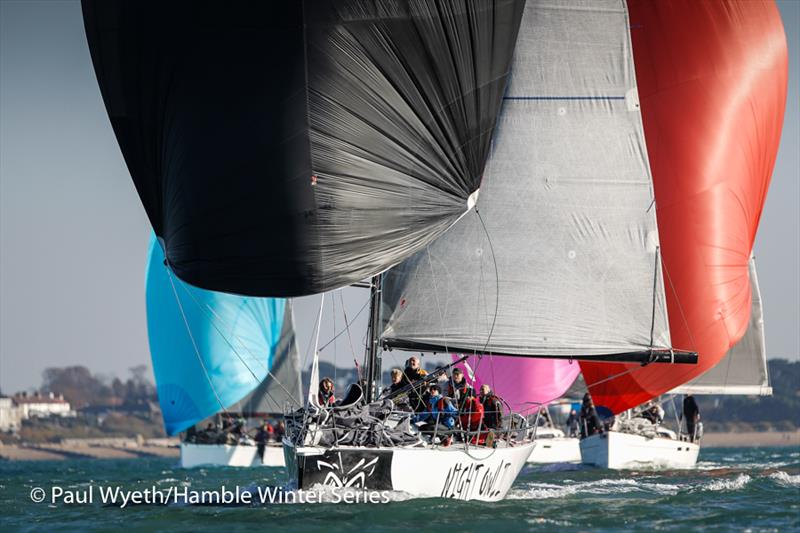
(523, 383)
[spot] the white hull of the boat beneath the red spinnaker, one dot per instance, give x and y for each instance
(619, 451)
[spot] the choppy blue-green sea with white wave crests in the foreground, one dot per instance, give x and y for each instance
(730, 490)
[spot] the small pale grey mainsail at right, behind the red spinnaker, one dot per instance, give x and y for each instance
(743, 370)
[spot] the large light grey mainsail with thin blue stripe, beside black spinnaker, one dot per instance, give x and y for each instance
(568, 263)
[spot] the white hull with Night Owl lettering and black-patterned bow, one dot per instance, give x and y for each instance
(451, 472)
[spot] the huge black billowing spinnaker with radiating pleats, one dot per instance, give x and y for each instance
(290, 147)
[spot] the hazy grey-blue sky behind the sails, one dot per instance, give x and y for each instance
(73, 235)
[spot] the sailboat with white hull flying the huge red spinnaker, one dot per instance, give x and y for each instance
(704, 96)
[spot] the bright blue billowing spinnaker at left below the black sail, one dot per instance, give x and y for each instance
(212, 349)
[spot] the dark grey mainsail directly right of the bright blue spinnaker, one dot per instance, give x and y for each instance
(283, 386)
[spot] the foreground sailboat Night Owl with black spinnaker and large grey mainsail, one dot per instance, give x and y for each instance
(286, 149)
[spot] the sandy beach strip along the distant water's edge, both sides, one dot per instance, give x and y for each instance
(131, 449)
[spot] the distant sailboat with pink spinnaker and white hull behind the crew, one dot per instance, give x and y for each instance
(529, 386)
